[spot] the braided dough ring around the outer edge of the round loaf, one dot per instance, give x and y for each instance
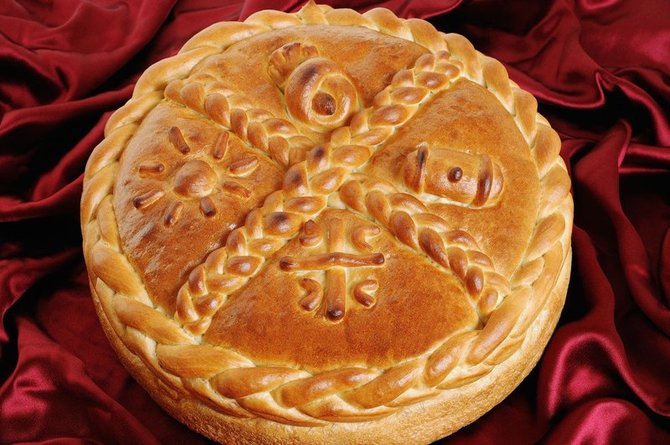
(232, 383)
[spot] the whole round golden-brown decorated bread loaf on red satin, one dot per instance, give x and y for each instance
(292, 243)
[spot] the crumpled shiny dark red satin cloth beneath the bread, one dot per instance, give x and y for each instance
(601, 72)
